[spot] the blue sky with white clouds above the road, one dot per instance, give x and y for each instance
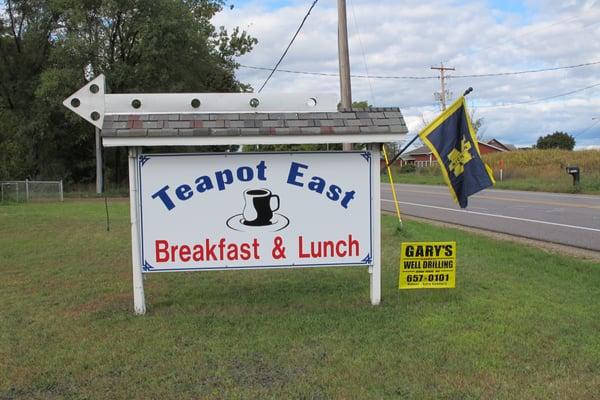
(406, 38)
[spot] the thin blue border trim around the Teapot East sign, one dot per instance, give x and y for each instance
(148, 268)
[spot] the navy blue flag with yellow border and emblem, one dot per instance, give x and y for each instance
(452, 140)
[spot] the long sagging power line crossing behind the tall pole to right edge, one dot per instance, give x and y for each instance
(484, 75)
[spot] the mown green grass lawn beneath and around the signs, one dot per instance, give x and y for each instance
(521, 323)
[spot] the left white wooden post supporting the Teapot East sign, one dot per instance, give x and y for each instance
(139, 301)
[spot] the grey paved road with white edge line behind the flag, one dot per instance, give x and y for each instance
(567, 219)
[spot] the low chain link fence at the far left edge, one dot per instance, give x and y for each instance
(24, 191)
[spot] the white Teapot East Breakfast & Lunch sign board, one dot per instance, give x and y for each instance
(255, 210)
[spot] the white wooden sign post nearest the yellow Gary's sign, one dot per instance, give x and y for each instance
(375, 270)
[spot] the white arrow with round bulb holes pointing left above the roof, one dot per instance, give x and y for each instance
(92, 104)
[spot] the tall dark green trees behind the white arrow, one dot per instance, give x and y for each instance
(50, 48)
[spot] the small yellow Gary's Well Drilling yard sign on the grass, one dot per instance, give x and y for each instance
(427, 265)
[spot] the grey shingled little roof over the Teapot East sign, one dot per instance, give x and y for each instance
(360, 124)
